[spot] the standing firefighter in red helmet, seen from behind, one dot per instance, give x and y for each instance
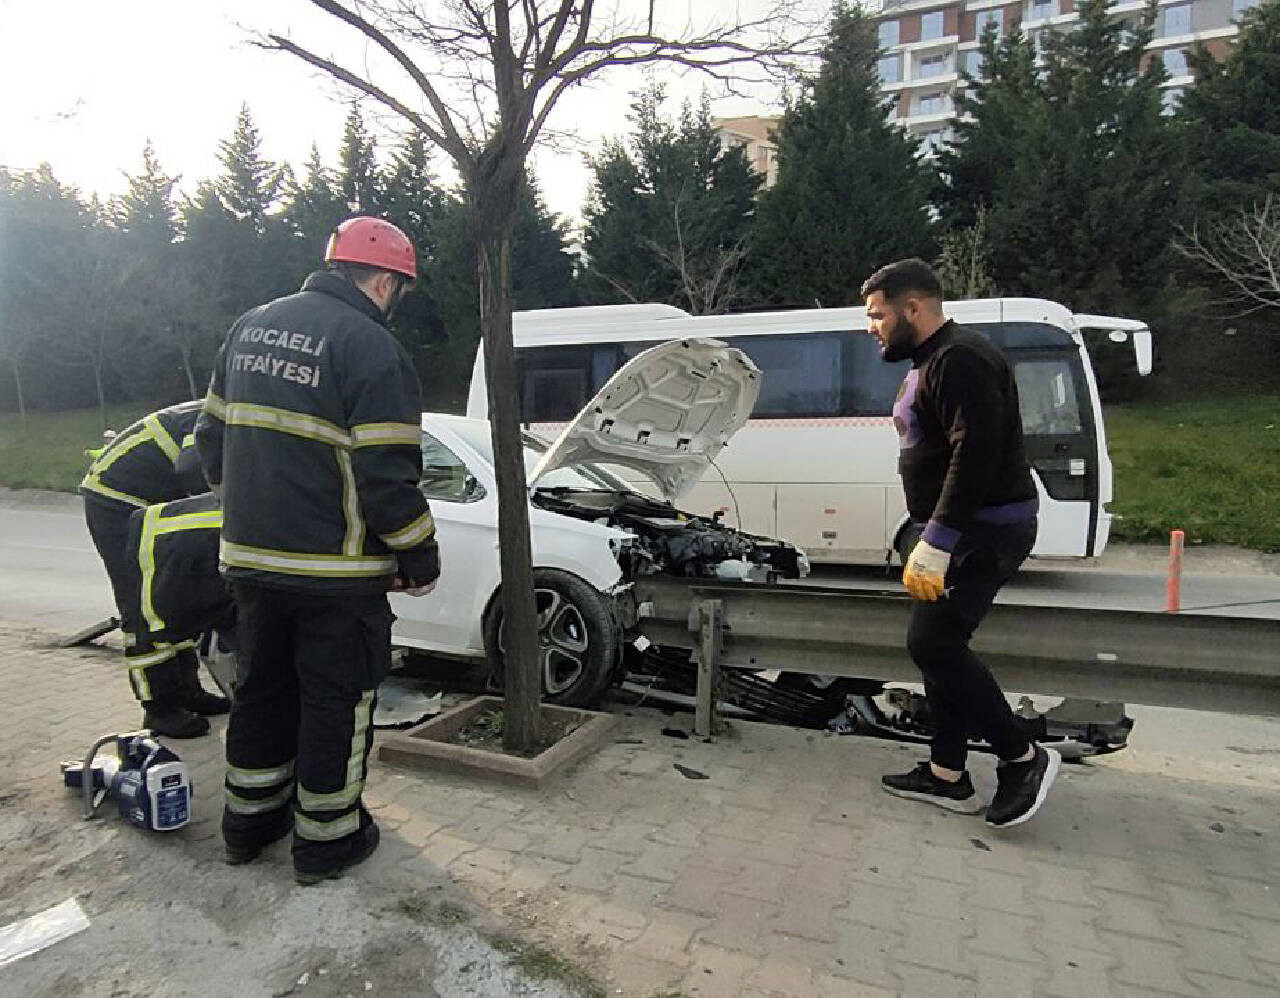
(312, 434)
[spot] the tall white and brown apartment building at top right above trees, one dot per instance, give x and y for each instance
(929, 44)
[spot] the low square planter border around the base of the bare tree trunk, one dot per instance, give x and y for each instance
(431, 745)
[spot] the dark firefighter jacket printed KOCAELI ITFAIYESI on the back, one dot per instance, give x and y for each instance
(313, 432)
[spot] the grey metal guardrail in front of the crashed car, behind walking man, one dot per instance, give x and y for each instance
(1208, 663)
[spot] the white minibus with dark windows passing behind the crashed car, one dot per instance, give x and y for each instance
(817, 464)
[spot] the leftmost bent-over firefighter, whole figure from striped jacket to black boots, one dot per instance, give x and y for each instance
(152, 461)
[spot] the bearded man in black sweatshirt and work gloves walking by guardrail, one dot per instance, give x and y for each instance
(970, 492)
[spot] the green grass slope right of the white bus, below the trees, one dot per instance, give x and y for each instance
(1210, 469)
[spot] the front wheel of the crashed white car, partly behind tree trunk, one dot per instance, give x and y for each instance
(578, 639)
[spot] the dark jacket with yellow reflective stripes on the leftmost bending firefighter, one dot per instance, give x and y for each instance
(152, 461)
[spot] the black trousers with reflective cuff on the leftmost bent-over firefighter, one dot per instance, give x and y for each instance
(156, 675)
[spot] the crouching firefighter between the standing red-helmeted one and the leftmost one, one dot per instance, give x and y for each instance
(175, 592)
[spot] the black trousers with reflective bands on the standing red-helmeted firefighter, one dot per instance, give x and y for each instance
(301, 725)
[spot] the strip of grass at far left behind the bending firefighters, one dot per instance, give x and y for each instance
(51, 452)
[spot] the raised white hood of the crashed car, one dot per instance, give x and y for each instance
(666, 414)
